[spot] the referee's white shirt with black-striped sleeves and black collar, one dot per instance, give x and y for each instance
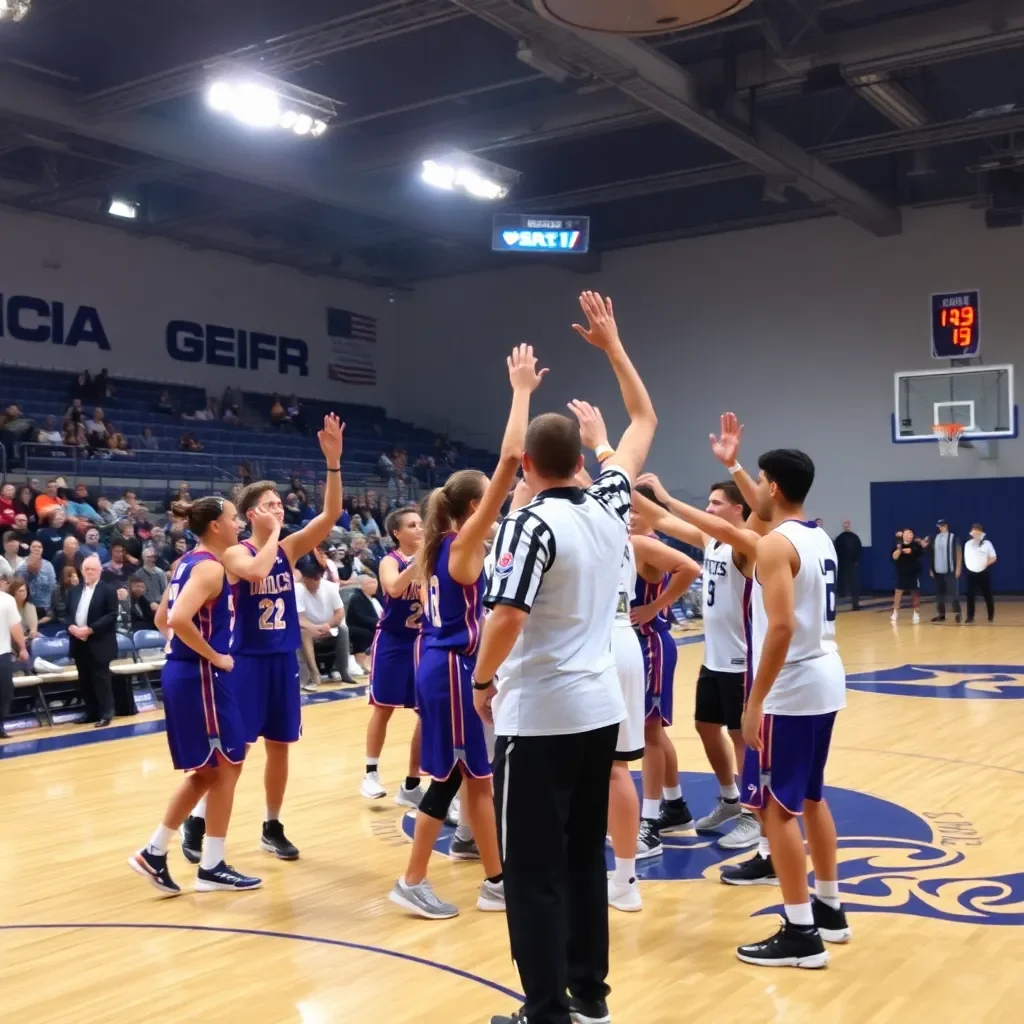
(559, 560)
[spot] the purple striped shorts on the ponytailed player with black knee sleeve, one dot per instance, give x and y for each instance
(453, 733)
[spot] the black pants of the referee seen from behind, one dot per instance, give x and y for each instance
(551, 801)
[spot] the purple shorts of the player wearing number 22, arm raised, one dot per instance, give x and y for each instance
(268, 689)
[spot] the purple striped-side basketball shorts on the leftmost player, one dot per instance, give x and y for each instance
(202, 715)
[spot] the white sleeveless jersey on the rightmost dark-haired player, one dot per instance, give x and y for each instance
(813, 681)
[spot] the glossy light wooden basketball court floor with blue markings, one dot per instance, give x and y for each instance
(927, 780)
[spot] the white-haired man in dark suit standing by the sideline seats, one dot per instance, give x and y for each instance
(92, 621)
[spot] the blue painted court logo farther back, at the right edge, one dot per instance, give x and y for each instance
(971, 682)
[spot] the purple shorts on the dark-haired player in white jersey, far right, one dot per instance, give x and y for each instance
(791, 764)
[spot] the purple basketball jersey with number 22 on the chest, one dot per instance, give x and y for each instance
(267, 620)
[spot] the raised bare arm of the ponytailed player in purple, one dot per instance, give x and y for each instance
(466, 554)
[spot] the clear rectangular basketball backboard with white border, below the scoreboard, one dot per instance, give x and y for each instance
(979, 398)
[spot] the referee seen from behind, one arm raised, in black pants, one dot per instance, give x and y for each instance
(553, 596)
